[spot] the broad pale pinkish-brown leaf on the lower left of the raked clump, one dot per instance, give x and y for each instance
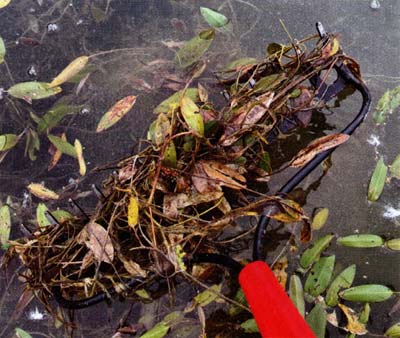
(98, 241)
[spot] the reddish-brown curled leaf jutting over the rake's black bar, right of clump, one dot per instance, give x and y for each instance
(318, 146)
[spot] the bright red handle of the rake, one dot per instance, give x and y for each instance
(274, 312)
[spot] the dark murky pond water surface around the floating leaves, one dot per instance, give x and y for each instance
(145, 31)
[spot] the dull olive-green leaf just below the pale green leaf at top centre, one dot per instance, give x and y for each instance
(194, 49)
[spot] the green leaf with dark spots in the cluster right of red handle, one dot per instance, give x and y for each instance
(320, 276)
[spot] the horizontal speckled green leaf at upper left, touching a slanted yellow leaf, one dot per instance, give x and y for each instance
(33, 90)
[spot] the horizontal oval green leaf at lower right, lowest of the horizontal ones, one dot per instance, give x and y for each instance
(368, 293)
